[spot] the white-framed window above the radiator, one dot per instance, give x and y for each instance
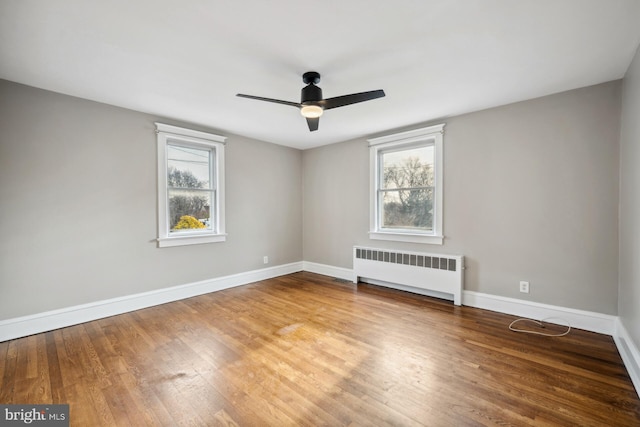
(406, 186)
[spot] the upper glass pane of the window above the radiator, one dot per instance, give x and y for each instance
(408, 168)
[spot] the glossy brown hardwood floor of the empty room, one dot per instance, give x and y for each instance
(306, 349)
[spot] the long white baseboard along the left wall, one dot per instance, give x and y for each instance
(50, 320)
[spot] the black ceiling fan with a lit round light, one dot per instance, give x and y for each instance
(312, 105)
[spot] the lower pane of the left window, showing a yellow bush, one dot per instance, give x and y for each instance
(190, 210)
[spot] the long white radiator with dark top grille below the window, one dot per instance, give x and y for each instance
(434, 272)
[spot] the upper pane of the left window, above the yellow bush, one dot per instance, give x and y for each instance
(188, 167)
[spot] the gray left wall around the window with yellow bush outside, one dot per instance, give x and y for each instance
(78, 212)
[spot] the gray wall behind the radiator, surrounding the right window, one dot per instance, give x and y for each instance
(531, 193)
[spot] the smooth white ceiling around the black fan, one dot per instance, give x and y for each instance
(186, 60)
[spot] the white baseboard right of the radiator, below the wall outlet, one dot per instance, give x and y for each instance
(587, 320)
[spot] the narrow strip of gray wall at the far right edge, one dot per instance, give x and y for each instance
(629, 306)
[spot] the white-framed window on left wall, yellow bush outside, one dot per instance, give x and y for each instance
(190, 186)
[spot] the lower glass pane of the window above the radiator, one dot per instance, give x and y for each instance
(408, 209)
